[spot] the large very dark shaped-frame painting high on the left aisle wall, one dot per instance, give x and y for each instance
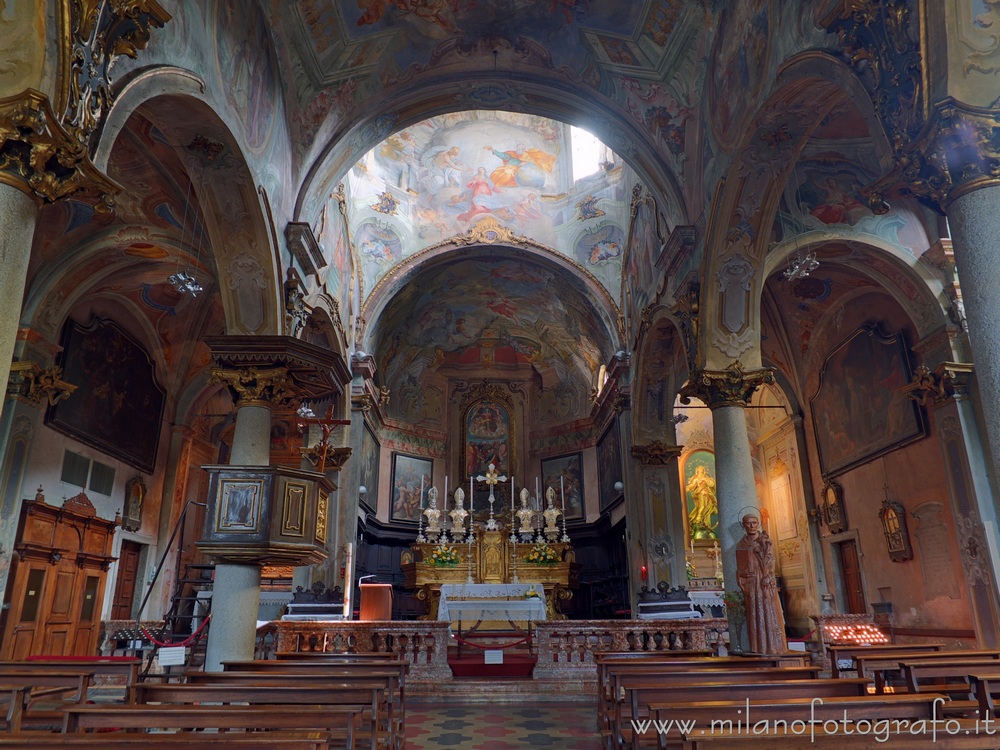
(118, 405)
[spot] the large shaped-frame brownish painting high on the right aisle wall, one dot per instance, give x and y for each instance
(860, 411)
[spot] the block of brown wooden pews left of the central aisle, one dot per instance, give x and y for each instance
(326, 702)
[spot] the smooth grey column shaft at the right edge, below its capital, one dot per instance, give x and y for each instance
(974, 220)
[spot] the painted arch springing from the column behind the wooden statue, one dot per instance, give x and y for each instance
(808, 88)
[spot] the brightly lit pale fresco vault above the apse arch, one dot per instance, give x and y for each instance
(438, 179)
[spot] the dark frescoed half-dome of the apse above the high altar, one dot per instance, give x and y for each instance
(495, 314)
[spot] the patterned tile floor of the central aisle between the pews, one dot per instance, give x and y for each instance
(567, 726)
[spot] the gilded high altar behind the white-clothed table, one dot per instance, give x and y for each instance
(491, 558)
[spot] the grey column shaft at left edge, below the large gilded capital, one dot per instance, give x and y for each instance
(18, 214)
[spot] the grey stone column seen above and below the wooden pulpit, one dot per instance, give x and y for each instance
(236, 592)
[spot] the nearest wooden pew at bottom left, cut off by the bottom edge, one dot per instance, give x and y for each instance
(165, 741)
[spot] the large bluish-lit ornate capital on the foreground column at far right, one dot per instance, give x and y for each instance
(956, 152)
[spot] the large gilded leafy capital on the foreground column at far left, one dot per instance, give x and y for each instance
(41, 158)
